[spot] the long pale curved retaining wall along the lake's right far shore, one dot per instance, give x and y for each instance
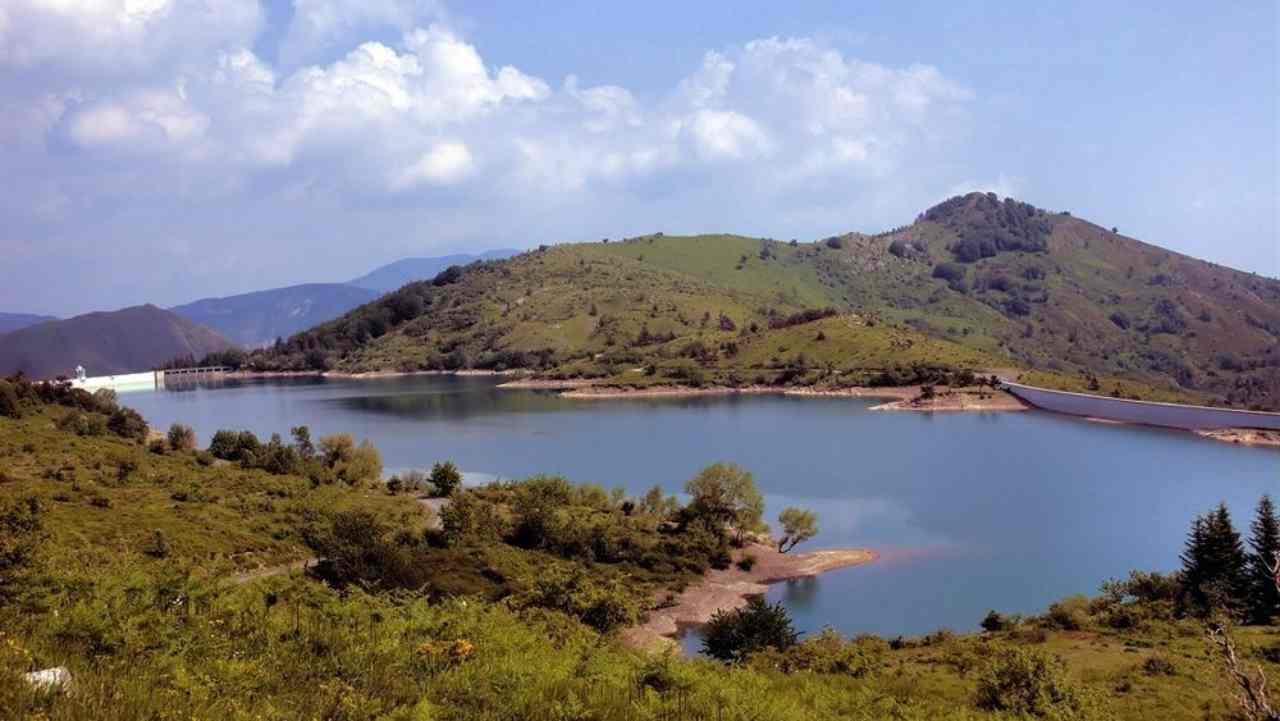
(1148, 413)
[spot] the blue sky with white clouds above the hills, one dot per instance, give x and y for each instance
(168, 150)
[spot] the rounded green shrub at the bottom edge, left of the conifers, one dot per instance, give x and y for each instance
(1025, 682)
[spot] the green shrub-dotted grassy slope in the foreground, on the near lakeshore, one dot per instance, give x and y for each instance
(510, 613)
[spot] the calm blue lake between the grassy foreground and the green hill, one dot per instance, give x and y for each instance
(970, 512)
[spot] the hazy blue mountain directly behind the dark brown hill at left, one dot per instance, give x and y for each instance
(260, 318)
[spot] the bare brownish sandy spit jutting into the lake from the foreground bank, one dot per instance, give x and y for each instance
(733, 587)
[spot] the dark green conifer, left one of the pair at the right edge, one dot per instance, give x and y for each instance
(1214, 565)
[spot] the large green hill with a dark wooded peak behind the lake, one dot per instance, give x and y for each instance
(976, 281)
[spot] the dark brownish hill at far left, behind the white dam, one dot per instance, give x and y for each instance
(125, 341)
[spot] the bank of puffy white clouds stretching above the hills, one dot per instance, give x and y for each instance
(388, 134)
